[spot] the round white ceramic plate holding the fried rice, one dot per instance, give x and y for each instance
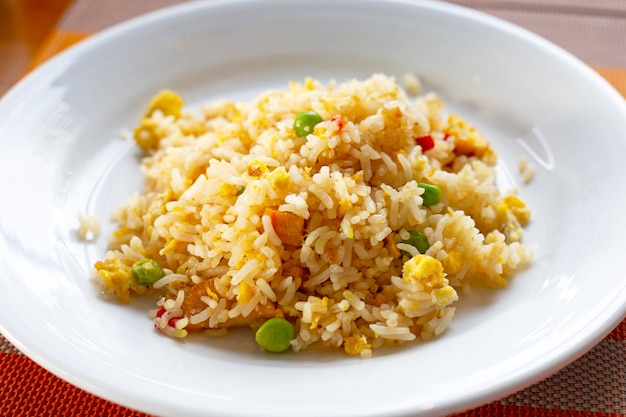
(61, 154)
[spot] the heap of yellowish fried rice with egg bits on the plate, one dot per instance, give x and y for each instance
(250, 221)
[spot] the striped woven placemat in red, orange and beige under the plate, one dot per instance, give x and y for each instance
(593, 385)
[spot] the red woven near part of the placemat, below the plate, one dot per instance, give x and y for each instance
(591, 386)
